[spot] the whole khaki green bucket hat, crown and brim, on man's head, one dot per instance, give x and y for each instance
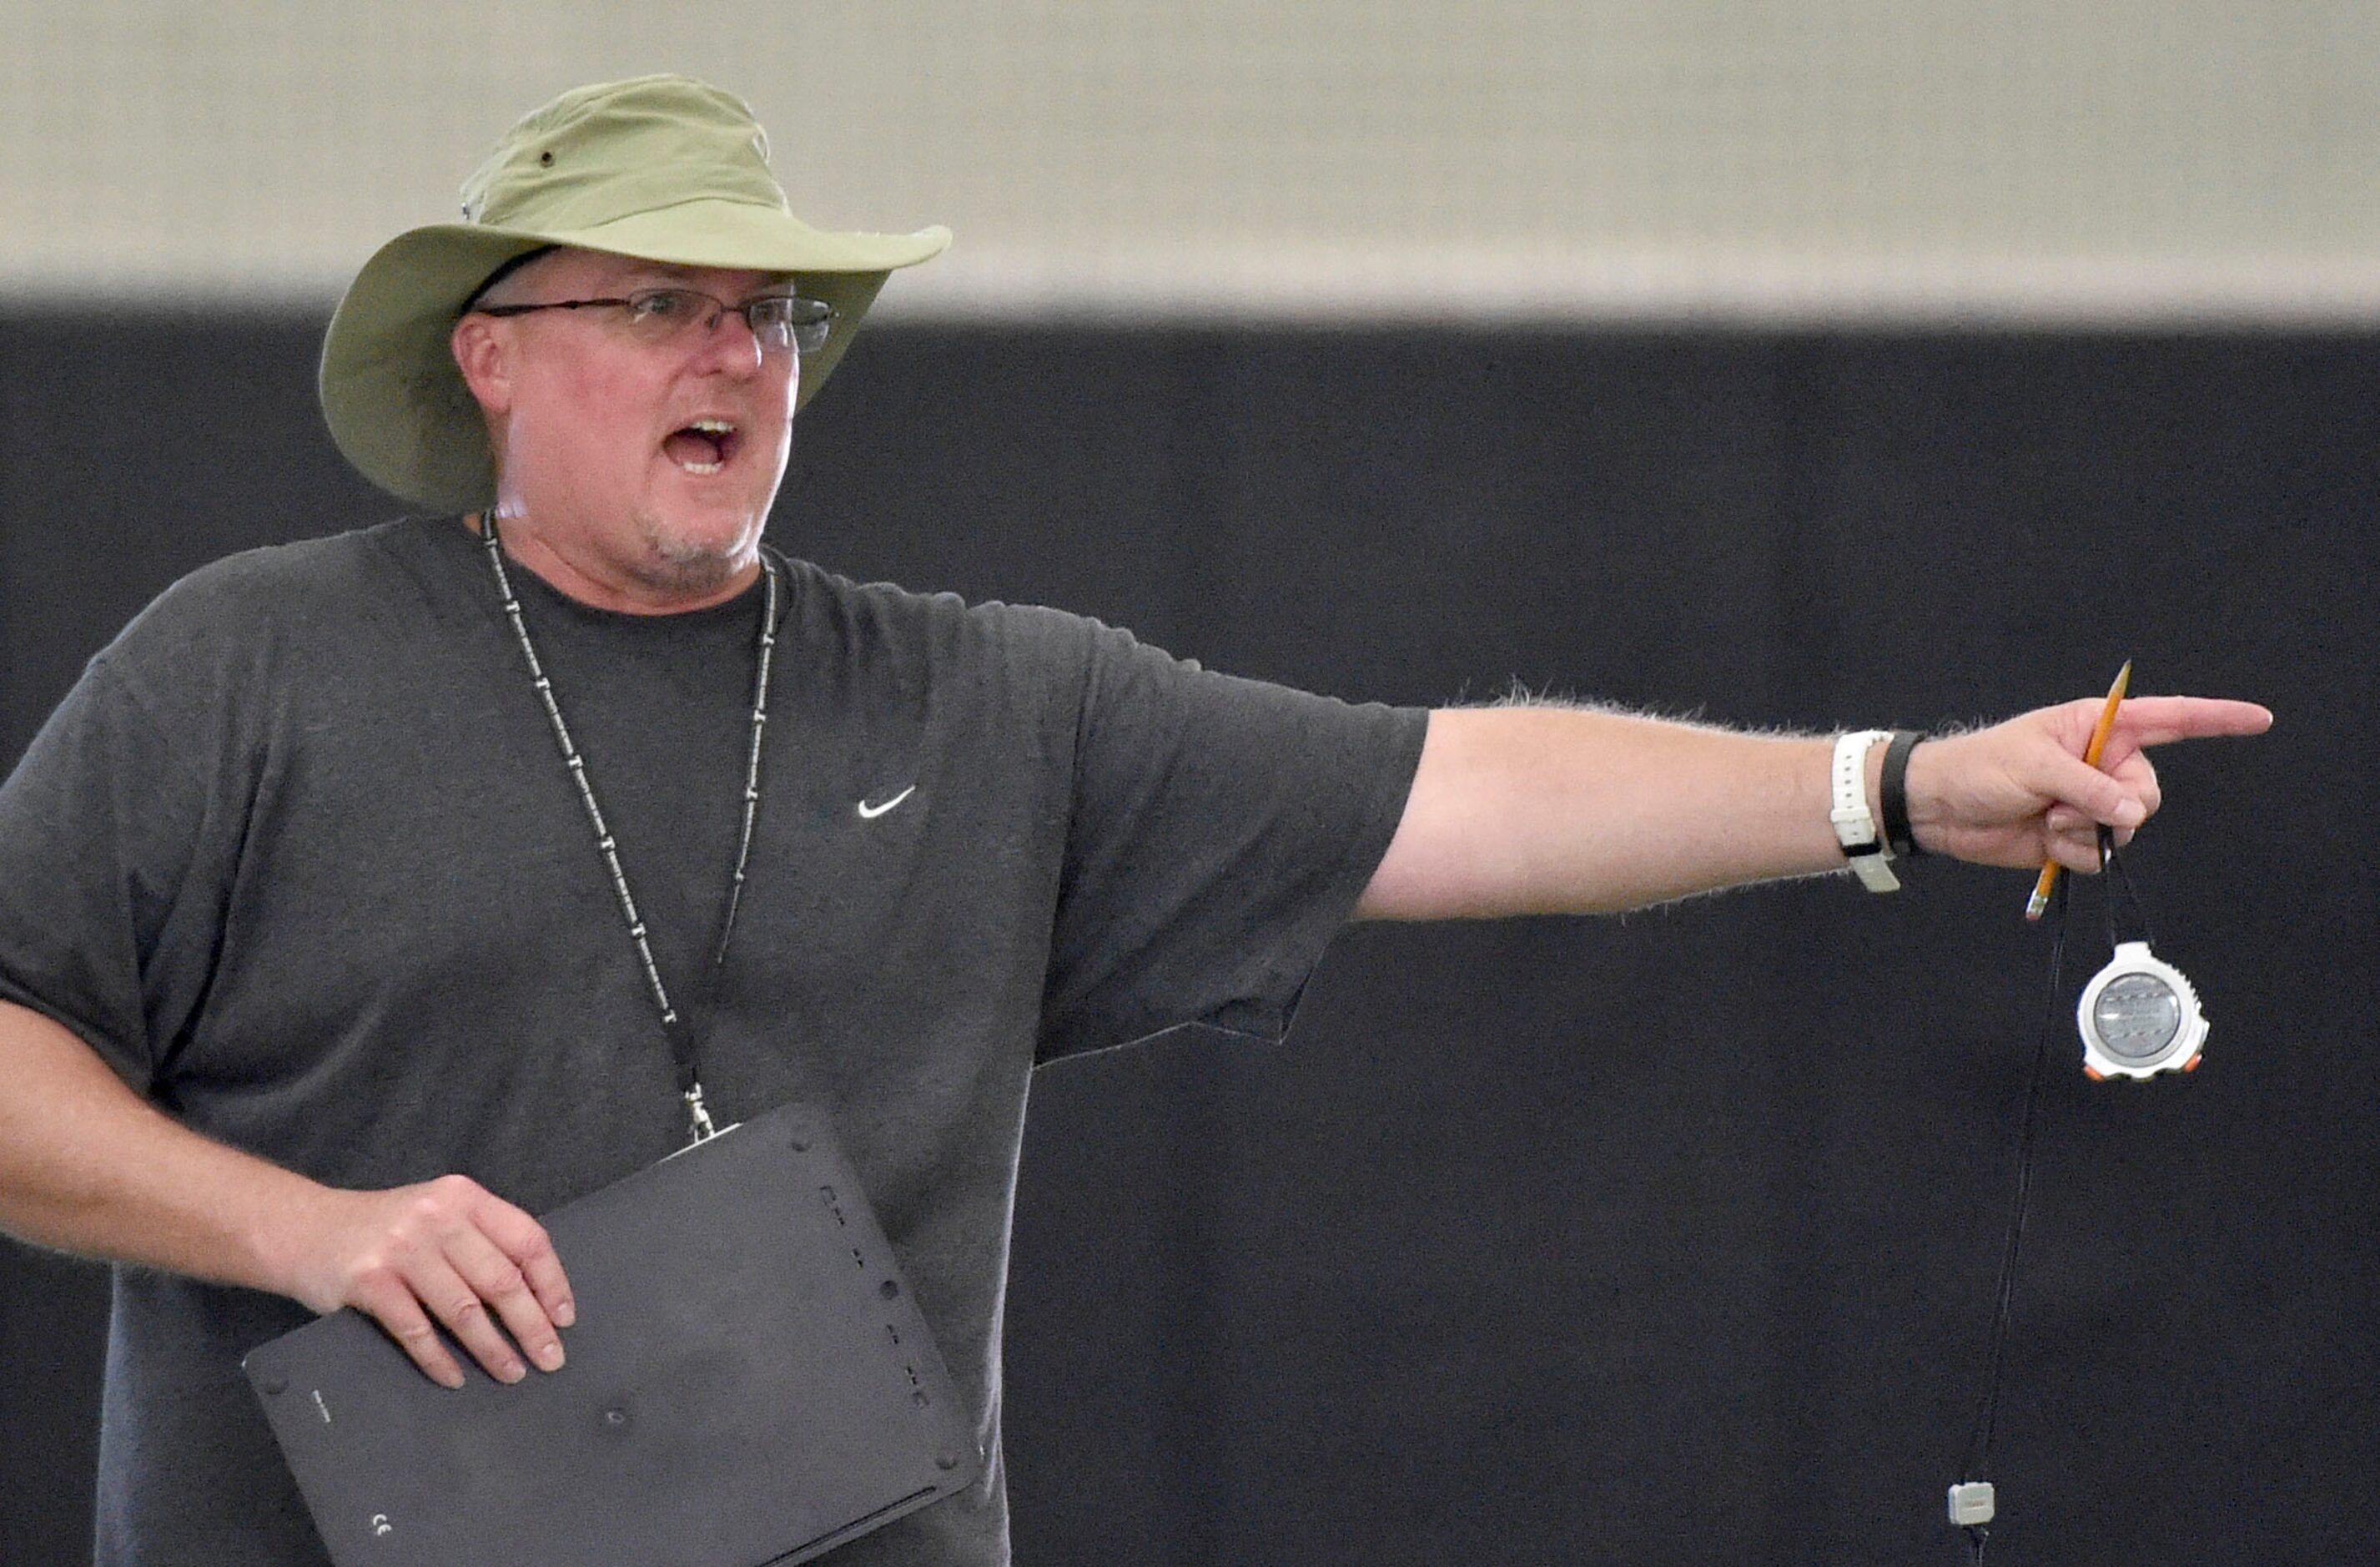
(658, 168)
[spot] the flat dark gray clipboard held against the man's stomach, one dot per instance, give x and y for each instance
(749, 1382)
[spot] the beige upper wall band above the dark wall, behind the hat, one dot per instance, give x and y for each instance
(2105, 158)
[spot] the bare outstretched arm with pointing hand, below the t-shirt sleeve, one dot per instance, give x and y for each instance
(1539, 811)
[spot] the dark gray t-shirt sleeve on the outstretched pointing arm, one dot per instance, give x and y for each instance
(1222, 832)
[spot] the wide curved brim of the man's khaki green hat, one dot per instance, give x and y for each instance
(396, 404)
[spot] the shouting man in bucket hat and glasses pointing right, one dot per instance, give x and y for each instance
(380, 892)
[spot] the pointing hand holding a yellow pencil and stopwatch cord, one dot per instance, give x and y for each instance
(2019, 792)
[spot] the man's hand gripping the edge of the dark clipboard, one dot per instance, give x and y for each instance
(441, 1251)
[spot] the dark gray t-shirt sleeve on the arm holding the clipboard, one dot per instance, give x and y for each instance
(99, 832)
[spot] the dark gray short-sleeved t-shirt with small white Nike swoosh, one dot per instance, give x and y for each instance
(301, 861)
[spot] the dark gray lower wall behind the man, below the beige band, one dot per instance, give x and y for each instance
(1655, 1240)
